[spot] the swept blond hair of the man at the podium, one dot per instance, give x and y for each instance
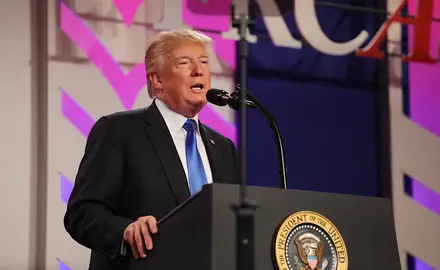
(163, 43)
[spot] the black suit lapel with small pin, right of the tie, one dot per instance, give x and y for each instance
(214, 155)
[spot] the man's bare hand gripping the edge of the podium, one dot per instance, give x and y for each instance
(138, 234)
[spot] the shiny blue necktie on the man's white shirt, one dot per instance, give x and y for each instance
(196, 171)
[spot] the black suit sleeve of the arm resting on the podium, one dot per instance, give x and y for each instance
(90, 217)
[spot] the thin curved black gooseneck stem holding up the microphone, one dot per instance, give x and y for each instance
(274, 126)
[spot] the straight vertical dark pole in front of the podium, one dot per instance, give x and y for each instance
(245, 211)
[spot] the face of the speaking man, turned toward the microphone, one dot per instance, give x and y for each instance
(184, 79)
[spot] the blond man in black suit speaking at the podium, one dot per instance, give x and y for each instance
(139, 165)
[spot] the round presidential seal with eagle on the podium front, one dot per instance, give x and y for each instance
(307, 240)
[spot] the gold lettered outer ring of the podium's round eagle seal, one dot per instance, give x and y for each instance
(303, 217)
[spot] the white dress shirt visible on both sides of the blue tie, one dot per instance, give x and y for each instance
(175, 122)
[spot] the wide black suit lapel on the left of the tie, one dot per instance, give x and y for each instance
(163, 144)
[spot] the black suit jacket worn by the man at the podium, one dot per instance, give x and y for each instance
(131, 168)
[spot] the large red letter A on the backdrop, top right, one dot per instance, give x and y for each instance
(422, 33)
